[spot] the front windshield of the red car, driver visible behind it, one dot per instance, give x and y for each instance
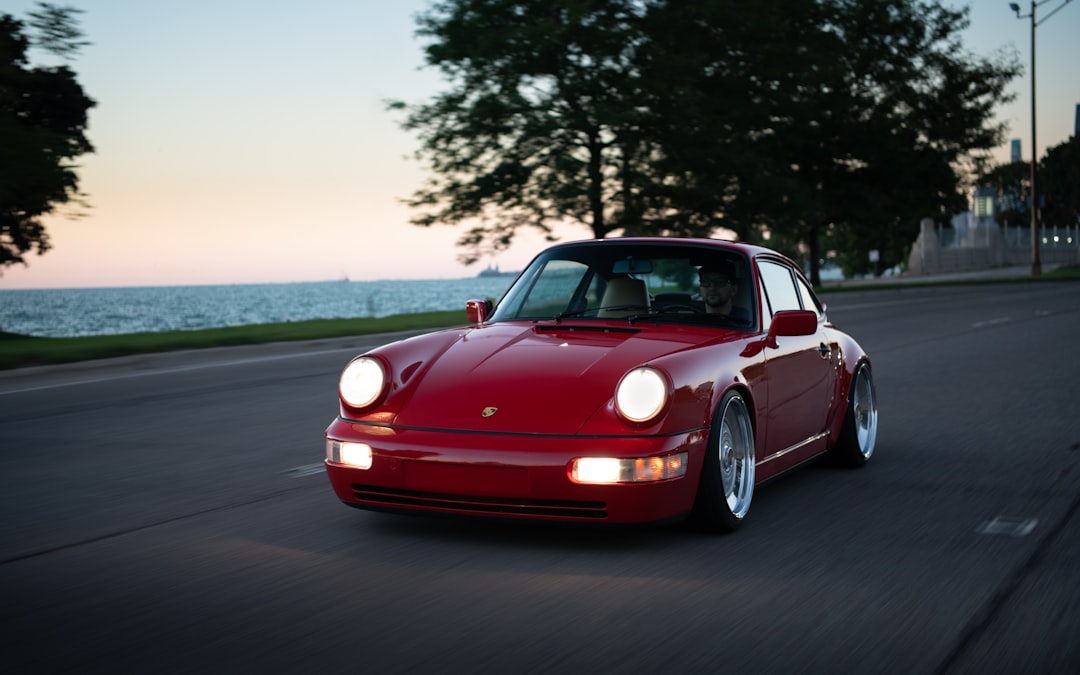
(680, 283)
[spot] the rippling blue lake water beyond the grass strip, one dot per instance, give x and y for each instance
(73, 313)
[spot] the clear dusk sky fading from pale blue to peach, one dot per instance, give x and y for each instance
(242, 142)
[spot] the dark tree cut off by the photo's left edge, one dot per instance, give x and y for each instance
(43, 131)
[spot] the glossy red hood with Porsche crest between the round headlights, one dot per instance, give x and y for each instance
(514, 379)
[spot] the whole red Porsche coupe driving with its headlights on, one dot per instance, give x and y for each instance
(627, 381)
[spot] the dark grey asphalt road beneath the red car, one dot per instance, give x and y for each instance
(169, 515)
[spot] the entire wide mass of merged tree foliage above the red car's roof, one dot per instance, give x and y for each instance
(806, 124)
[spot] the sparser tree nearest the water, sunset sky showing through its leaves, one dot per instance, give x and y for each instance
(541, 125)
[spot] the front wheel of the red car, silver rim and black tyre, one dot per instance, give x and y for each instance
(727, 477)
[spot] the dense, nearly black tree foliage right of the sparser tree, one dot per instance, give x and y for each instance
(845, 123)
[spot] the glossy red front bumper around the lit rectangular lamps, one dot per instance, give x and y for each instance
(509, 476)
